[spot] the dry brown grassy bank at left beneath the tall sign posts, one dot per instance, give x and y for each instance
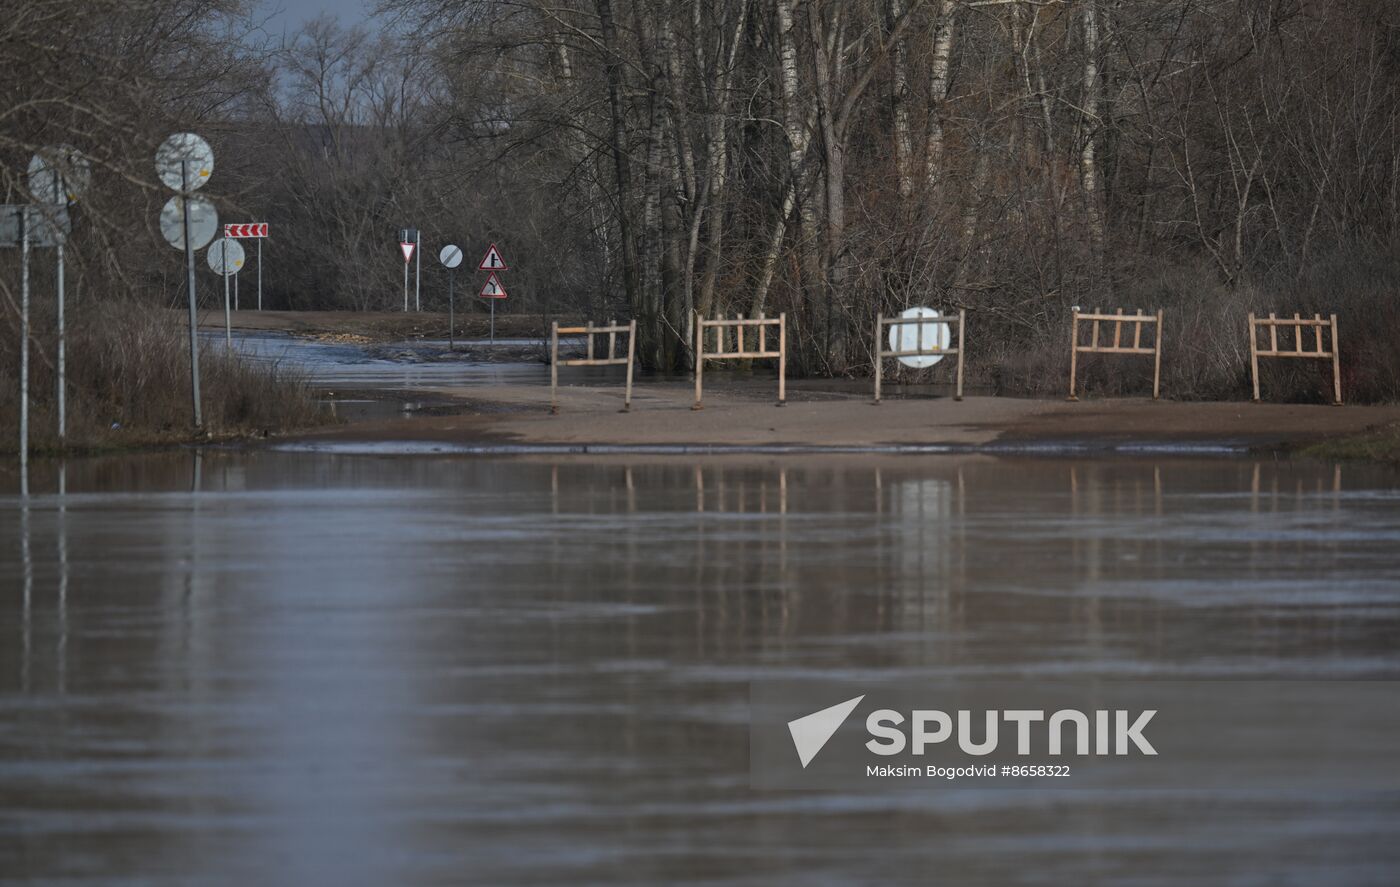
(128, 370)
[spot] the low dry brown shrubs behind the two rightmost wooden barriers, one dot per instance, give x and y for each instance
(1206, 355)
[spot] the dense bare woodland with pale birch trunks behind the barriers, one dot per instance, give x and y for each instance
(824, 159)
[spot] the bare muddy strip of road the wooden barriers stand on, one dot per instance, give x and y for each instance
(743, 416)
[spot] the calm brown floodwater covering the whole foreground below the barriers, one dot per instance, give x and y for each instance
(310, 668)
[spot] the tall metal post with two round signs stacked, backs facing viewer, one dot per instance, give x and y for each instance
(184, 163)
